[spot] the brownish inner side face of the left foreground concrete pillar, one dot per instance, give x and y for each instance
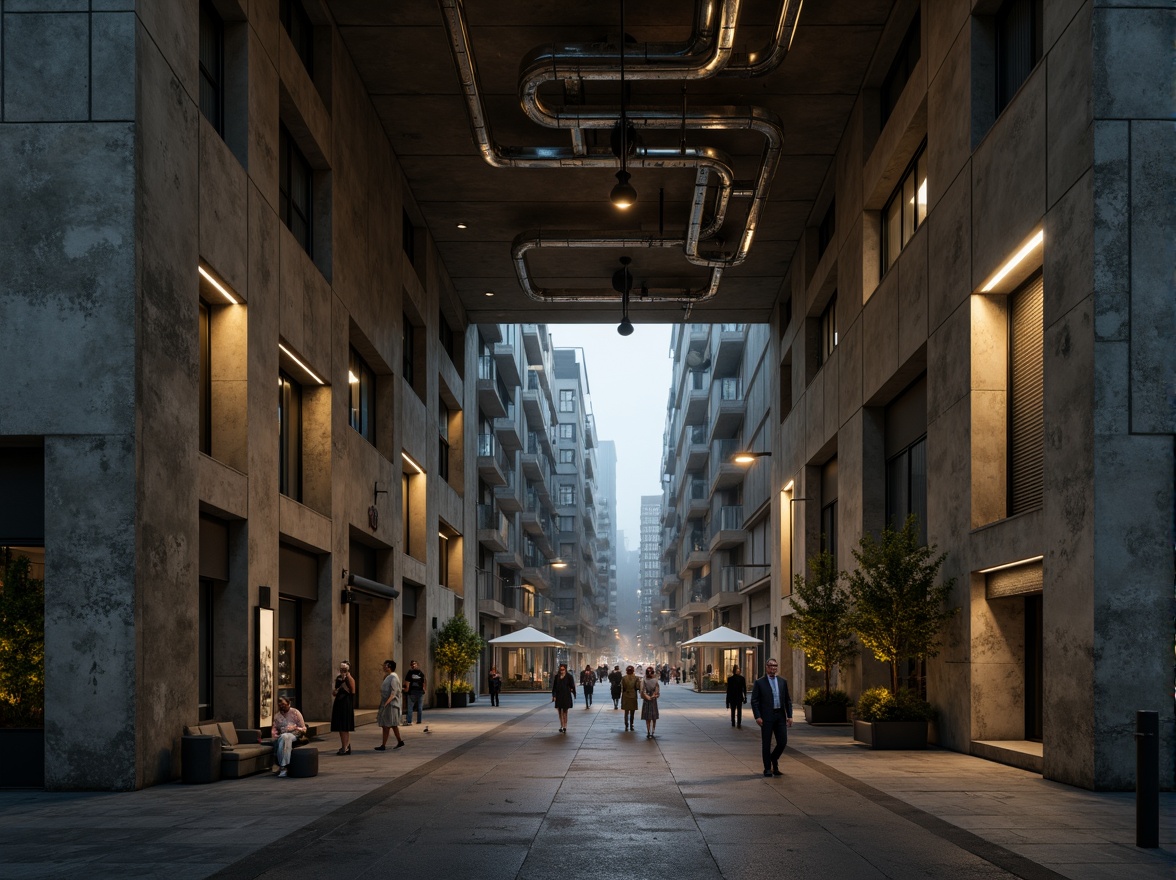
(168, 534)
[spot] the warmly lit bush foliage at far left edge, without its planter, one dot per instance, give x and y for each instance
(22, 644)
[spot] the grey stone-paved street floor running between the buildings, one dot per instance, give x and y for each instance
(495, 794)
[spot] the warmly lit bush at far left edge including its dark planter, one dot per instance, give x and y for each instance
(22, 675)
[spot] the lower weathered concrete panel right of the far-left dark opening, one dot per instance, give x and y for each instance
(92, 661)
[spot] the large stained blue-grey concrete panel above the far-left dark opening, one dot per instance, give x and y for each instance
(72, 209)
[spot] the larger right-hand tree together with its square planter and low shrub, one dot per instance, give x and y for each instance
(900, 608)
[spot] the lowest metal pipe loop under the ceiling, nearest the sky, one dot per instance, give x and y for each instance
(530, 242)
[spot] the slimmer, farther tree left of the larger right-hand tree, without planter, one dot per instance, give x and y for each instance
(820, 625)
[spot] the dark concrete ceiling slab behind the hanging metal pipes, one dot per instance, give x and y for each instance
(403, 52)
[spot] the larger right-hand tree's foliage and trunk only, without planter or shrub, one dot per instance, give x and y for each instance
(899, 609)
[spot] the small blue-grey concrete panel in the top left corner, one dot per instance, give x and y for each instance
(46, 66)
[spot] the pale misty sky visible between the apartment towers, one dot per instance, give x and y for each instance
(629, 378)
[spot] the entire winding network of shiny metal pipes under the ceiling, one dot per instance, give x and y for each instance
(707, 54)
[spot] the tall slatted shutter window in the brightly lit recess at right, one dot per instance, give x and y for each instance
(1026, 416)
